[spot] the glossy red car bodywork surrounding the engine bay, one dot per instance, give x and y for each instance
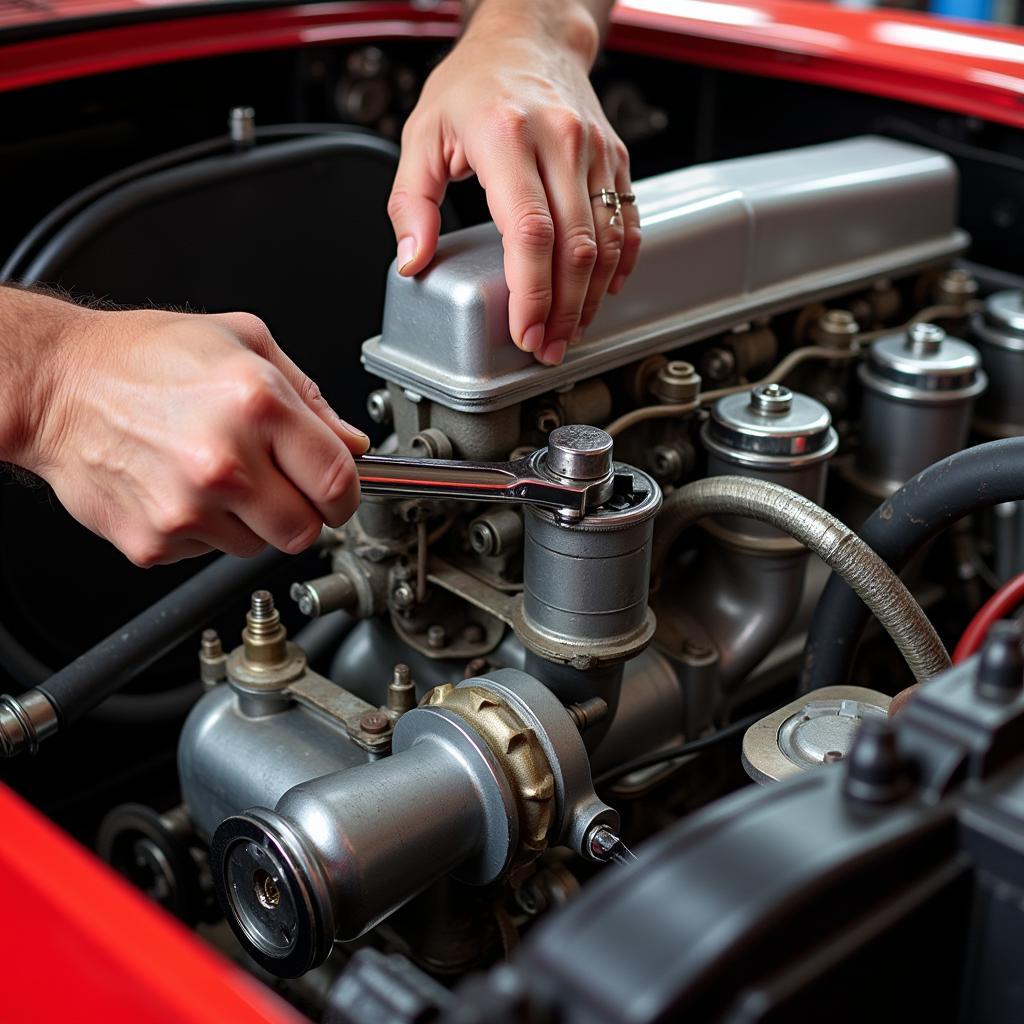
(79, 941)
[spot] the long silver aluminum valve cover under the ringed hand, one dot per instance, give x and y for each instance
(723, 243)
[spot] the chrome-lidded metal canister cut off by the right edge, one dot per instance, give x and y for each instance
(999, 332)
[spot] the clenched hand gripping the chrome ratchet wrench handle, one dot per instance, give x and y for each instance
(174, 435)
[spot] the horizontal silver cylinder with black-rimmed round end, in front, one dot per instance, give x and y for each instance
(326, 864)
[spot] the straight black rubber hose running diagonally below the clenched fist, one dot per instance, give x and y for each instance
(104, 669)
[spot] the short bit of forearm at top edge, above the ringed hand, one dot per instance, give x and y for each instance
(578, 24)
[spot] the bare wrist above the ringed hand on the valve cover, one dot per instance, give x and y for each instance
(570, 25)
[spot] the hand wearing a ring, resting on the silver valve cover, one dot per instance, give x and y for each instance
(514, 104)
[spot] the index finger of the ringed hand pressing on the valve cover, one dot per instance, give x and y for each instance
(519, 205)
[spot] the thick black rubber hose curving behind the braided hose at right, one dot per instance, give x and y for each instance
(923, 508)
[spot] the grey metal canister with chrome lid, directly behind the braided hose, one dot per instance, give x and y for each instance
(770, 434)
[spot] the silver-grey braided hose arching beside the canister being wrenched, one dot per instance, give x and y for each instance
(831, 540)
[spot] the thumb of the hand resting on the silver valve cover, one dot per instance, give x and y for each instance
(416, 197)
